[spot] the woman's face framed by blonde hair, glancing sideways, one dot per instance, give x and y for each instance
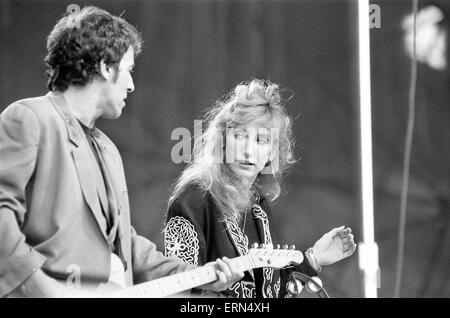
(248, 149)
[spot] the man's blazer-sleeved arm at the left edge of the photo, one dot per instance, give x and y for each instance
(19, 140)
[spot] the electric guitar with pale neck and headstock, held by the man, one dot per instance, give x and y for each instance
(174, 284)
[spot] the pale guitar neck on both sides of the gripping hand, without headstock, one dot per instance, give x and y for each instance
(180, 282)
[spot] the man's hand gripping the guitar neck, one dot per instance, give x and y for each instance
(227, 274)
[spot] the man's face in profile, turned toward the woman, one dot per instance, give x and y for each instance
(119, 86)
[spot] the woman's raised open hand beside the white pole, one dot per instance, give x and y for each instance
(334, 246)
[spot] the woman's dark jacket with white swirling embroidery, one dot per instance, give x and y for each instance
(195, 233)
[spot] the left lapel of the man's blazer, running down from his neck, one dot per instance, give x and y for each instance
(79, 155)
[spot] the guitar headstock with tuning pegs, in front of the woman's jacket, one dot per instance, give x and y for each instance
(268, 256)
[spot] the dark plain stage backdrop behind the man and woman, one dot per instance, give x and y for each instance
(196, 51)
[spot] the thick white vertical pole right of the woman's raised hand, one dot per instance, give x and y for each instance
(368, 249)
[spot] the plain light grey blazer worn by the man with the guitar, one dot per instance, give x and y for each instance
(50, 216)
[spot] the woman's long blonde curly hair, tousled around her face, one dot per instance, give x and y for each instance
(255, 102)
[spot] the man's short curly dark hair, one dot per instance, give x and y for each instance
(79, 41)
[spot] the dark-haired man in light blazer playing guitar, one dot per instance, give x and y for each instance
(64, 213)
